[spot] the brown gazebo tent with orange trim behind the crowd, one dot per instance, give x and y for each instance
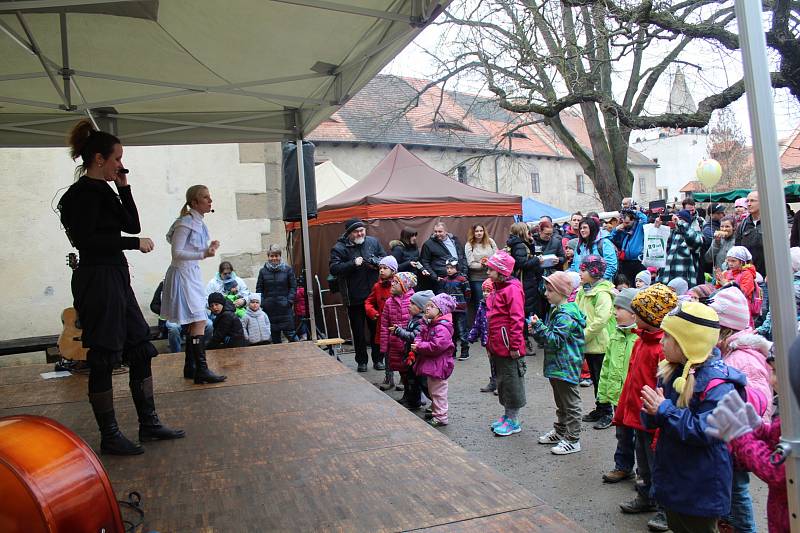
(401, 191)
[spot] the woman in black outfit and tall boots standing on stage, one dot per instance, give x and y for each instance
(114, 330)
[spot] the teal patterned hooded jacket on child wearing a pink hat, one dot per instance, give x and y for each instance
(562, 335)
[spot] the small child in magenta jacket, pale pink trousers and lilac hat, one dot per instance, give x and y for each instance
(434, 350)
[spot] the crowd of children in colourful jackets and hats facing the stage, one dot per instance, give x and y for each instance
(672, 367)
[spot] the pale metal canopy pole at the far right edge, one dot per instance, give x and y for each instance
(776, 245)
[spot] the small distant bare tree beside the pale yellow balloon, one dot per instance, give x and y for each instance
(727, 144)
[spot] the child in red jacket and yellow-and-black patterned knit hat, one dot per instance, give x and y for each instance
(650, 305)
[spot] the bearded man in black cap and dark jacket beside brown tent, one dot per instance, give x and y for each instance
(354, 261)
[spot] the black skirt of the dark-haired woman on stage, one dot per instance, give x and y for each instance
(112, 322)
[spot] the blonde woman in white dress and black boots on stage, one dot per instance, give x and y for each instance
(183, 300)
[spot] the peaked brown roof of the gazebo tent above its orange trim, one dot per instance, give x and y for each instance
(403, 178)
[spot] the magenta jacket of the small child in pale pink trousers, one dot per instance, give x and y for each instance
(435, 349)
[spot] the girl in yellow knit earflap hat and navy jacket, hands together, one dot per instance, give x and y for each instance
(692, 472)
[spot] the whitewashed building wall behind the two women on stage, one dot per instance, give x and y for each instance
(34, 245)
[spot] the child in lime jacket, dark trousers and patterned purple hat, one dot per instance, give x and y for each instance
(596, 301)
